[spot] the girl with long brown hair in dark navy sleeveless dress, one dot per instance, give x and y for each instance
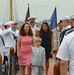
(47, 41)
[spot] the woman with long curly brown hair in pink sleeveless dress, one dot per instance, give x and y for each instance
(24, 49)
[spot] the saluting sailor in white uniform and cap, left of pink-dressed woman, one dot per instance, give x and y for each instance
(8, 40)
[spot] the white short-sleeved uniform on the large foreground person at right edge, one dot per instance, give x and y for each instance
(66, 51)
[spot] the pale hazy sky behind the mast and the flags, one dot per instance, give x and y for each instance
(41, 9)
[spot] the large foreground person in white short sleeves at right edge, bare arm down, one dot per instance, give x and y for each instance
(66, 54)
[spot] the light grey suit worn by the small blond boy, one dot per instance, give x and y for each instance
(38, 60)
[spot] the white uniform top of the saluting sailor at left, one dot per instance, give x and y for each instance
(8, 38)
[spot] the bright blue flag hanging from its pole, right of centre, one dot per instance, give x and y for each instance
(53, 20)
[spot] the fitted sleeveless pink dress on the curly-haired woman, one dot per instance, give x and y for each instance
(25, 50)
